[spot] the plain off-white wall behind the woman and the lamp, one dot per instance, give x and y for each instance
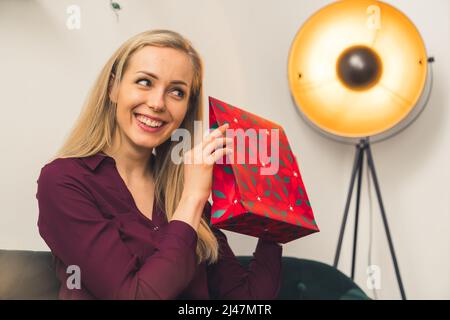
(48, 69)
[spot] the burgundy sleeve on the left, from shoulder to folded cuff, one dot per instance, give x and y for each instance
(77, 233)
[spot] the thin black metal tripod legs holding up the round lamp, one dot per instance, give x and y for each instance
(363, 147)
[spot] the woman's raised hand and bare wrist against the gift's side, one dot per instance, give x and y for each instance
(198, 172)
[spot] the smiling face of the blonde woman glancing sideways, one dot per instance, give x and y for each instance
(153, 95)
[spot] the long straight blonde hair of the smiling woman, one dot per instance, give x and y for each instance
(94, 129)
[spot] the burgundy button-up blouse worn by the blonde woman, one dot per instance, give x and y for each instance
(88, 218)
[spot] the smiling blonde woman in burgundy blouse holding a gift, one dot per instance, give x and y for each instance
(114, 204)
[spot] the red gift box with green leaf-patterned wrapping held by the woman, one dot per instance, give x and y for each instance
(259, 190)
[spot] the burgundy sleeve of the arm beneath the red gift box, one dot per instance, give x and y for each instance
(228, 279)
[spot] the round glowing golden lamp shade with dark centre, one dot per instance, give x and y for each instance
(357, 68)
